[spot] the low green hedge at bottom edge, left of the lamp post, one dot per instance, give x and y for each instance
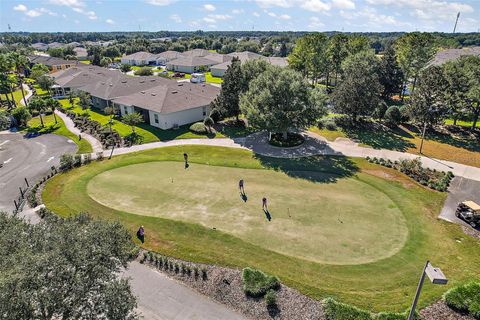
(341, 311)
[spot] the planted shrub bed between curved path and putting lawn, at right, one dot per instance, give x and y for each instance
(436, 180)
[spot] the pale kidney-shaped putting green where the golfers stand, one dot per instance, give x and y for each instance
(348, 222)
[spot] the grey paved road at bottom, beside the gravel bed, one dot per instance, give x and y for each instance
(162, 298)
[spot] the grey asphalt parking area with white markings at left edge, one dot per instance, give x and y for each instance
(29, 158)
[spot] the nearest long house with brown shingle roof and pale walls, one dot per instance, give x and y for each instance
(163, 103)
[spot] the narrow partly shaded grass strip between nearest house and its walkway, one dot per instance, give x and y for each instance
(148, 132)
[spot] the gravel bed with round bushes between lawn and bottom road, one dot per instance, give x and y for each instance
(225, 286)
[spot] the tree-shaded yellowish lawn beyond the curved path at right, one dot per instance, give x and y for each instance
(407, 138)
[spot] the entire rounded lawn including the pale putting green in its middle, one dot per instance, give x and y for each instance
(321, 239)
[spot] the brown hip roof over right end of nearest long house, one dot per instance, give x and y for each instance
(171, 97)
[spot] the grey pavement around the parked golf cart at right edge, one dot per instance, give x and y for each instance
(461, 189)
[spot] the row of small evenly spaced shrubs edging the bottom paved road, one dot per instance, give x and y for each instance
(170, 265)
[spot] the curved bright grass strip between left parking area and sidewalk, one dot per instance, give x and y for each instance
(34, 125)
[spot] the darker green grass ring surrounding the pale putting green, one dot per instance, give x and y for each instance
(385, 285)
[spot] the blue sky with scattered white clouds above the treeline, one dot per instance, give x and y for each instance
(228, 15)
